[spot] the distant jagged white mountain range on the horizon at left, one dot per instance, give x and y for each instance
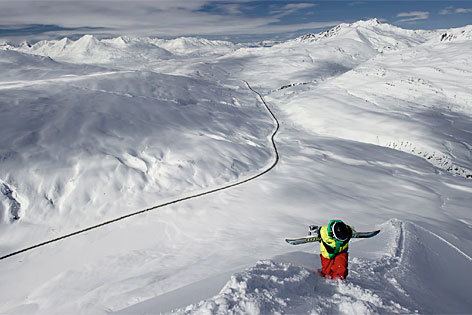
(122, 51)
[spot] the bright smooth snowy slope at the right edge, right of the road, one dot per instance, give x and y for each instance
(399, 101)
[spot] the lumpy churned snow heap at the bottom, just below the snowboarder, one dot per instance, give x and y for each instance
(275, 287)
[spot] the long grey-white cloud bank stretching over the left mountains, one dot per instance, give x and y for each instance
(150, 18)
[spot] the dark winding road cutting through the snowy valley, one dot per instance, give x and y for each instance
(268, 169)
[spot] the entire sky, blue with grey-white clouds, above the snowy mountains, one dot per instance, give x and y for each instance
(237, 20)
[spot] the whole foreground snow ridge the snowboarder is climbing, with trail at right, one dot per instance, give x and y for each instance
(401, 275)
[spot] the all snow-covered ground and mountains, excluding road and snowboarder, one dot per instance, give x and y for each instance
(375, 130)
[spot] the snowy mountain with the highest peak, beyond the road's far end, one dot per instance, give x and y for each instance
(311, 59)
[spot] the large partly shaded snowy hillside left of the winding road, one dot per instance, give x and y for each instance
(121, 133)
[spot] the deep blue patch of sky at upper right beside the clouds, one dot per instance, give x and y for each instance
(438, 14)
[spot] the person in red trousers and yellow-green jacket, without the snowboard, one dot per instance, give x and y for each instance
(333, 249)
